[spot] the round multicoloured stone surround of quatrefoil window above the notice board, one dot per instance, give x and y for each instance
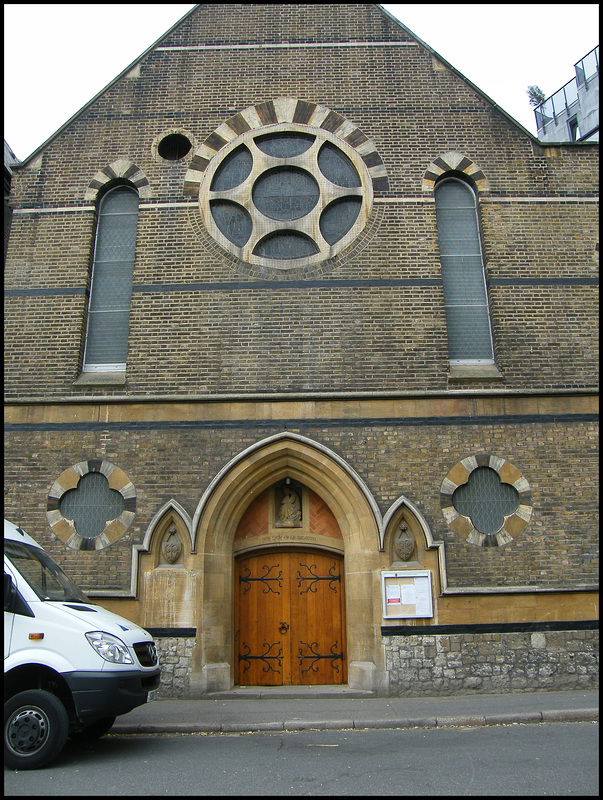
(462, 525)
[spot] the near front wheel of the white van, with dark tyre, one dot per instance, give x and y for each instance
(35, 729)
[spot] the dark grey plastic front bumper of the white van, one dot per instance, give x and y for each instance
(98, 695)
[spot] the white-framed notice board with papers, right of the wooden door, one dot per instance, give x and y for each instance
(407, 594)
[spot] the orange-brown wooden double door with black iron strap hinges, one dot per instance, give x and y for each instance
(290, 619)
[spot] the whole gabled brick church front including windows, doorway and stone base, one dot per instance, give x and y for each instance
(301, 338)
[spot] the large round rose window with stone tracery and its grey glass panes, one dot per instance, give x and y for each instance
(285, 198)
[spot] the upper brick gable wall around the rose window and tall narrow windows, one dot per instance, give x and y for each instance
(200, 325)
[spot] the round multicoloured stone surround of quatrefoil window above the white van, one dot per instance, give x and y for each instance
(64, 528)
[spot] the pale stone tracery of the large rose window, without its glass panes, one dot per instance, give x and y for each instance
(309, 224)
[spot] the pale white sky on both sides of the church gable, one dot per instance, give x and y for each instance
(53, 65)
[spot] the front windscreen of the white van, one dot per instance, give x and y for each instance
(45, 577)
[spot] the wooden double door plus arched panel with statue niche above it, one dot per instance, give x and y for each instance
(289, 599)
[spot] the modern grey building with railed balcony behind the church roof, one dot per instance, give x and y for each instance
(572, 113)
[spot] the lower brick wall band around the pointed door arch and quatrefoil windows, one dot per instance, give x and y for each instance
(559, 548)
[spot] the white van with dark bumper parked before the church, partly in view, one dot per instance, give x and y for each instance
(70, 667)
